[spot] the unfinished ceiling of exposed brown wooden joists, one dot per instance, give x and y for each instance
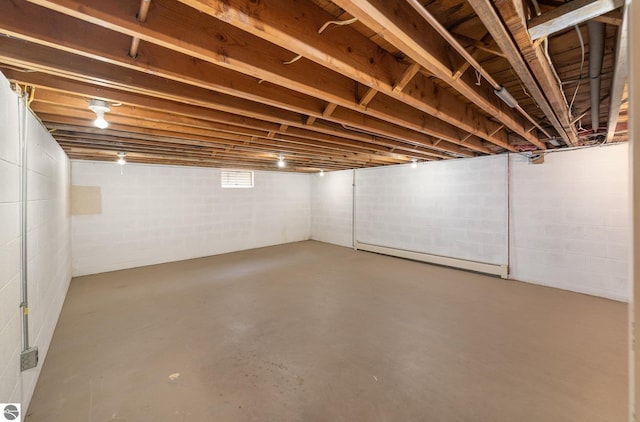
(327, 85)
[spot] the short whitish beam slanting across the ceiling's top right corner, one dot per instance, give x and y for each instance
(569, 14)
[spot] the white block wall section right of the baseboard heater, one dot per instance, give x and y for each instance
(570, 223)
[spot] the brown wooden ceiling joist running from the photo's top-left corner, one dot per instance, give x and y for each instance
(95, 42)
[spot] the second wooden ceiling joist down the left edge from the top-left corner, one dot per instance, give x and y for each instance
(64, 64)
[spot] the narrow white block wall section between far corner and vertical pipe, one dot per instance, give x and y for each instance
(332, 208)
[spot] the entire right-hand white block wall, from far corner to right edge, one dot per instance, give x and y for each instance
(569, 223)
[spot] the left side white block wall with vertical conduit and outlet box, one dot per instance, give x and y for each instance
(49, 247)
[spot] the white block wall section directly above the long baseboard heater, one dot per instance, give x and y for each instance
(450, 208)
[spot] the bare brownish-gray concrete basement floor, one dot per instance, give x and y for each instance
(314, 332)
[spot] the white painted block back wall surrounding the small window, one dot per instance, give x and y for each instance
(154, 214)
